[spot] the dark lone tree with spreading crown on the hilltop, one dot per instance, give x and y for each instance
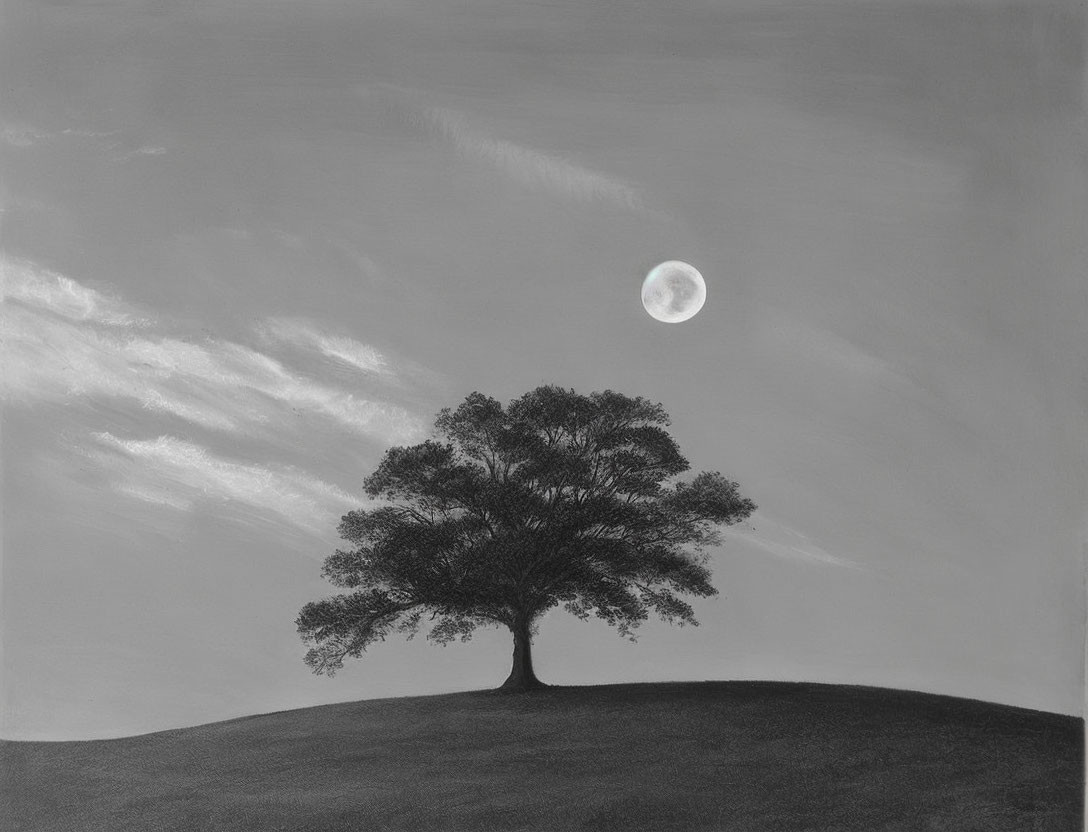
(559, 499)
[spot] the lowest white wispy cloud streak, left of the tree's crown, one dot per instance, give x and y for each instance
(179, 475)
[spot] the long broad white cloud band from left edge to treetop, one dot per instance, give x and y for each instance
(68, 343)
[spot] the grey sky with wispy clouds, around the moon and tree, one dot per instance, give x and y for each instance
(248, 246)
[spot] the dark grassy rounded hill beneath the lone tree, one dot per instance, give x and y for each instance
(684, 756)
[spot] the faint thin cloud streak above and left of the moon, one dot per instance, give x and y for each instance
(534, 168)
